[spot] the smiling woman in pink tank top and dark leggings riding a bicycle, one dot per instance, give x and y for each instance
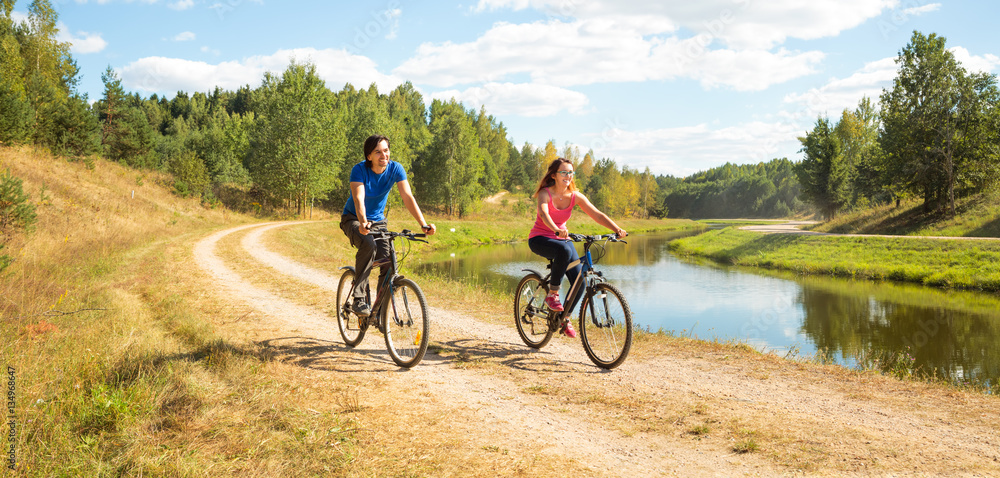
(556, 196)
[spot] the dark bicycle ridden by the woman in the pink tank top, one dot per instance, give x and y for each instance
(605, 317)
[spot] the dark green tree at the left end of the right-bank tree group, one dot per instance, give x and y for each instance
(823, 173)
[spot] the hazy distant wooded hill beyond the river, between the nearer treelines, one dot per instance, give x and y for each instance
(763, 190)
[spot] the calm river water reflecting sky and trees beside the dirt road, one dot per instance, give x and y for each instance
(953, 334)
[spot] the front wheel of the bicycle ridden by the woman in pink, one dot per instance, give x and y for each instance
(606, 326)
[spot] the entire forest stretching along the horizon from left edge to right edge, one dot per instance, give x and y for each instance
(289, 142)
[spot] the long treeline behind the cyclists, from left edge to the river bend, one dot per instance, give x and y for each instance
(287, 143)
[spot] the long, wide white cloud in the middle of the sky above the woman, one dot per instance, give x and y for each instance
(597, 51)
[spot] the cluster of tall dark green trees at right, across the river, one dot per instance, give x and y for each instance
(935, 135)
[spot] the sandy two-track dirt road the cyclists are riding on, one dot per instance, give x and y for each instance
(675, 413)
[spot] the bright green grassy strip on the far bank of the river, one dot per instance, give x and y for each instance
(946, 263)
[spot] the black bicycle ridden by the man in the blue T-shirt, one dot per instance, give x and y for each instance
(399, 311)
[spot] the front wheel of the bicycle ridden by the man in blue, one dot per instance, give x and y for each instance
(406, 323)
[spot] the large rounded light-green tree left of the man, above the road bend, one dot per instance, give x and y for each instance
(297, 151)
